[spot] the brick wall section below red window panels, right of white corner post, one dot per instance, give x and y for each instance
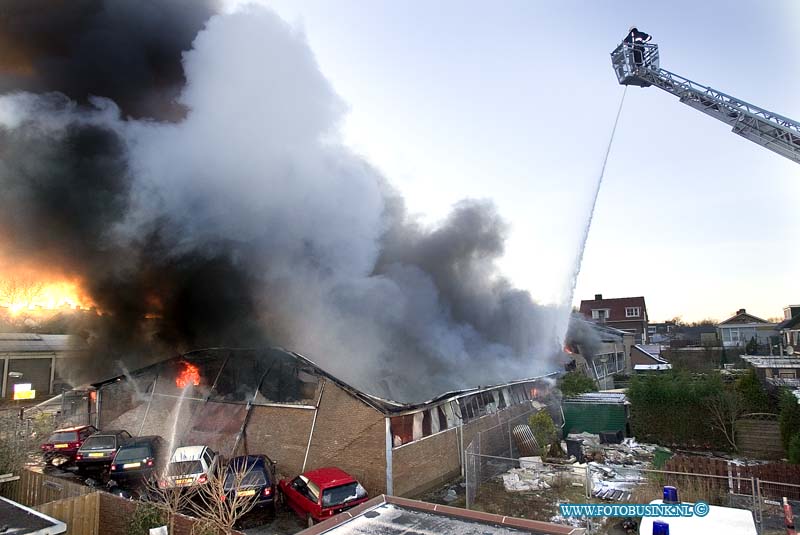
(421, 465)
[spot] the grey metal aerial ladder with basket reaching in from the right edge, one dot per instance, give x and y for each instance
(638, 64)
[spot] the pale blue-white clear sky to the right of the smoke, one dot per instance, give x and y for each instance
(514, 101)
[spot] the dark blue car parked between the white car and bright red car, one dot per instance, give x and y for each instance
(252, 475)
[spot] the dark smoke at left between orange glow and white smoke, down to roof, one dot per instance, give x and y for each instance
(67, 189)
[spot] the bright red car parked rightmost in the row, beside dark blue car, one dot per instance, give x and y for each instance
(319, 494)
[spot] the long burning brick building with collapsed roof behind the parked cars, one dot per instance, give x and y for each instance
(281, 404)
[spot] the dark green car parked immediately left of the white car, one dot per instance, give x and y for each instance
(140, 459)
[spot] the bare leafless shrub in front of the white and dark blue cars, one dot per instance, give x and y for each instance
(227, 497)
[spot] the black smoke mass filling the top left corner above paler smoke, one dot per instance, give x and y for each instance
(126, 50)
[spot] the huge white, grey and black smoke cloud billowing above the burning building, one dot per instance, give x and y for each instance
(247, 221)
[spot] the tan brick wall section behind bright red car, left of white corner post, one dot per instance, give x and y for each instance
(352, 436)
